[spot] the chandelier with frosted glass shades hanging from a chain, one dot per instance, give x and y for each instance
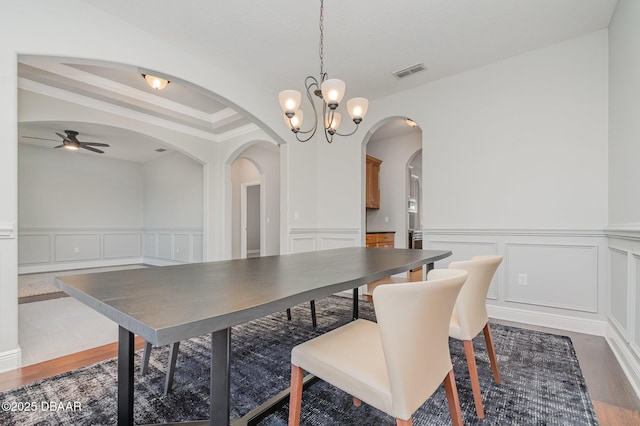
(330, 91)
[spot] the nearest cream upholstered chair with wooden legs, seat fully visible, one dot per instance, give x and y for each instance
(396, 364)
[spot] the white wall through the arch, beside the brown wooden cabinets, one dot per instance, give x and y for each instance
(395, 154)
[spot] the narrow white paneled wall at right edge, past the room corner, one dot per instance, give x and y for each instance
(624, 175)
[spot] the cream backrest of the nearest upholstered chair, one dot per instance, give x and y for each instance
(413, 319)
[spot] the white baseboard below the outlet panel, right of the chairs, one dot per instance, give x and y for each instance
(544, 319)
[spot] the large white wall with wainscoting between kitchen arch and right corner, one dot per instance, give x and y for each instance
(515, 163)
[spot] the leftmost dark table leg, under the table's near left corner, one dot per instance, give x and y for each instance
(125, 377)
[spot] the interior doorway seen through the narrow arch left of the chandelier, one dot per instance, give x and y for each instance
(250, 213)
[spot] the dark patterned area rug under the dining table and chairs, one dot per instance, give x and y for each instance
(542, 381)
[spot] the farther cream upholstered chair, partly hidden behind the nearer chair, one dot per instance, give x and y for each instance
(470, 317)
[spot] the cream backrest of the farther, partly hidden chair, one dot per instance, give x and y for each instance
(471, 306)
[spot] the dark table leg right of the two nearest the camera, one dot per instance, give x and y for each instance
(220, 377)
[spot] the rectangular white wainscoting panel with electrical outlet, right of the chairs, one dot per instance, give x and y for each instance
(556, 275)
